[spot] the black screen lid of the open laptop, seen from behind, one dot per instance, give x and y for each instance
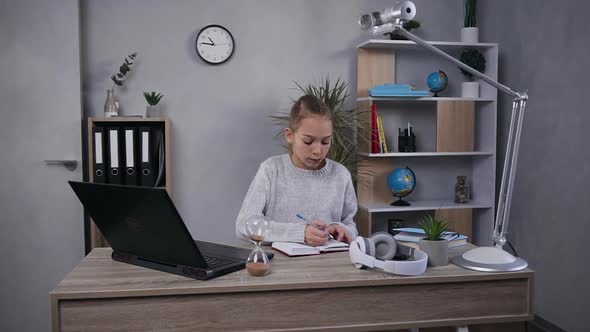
(141, 221)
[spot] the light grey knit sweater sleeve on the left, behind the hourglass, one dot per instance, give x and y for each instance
(255, 206)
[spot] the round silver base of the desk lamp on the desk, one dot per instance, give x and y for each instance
(489, 259)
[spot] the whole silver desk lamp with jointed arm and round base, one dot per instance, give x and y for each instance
(491, 258)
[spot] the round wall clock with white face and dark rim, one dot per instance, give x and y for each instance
(214, 44)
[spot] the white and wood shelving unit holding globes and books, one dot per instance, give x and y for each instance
(436, 169)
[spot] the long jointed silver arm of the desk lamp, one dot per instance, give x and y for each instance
(518, 107)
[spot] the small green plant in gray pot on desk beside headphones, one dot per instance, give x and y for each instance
(434, 245)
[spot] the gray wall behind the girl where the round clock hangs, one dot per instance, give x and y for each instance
(220, 114)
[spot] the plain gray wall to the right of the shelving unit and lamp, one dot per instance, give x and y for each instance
(544, 50)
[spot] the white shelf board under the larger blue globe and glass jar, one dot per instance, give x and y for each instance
(422, 206)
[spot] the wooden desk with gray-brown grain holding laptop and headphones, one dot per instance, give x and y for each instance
(319, 293)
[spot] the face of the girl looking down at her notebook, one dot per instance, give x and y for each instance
(310, 142)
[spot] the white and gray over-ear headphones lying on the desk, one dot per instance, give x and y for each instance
(378, 252)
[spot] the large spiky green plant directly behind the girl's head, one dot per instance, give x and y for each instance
(346, 122)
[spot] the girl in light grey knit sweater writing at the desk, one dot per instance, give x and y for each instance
(303, 184)
